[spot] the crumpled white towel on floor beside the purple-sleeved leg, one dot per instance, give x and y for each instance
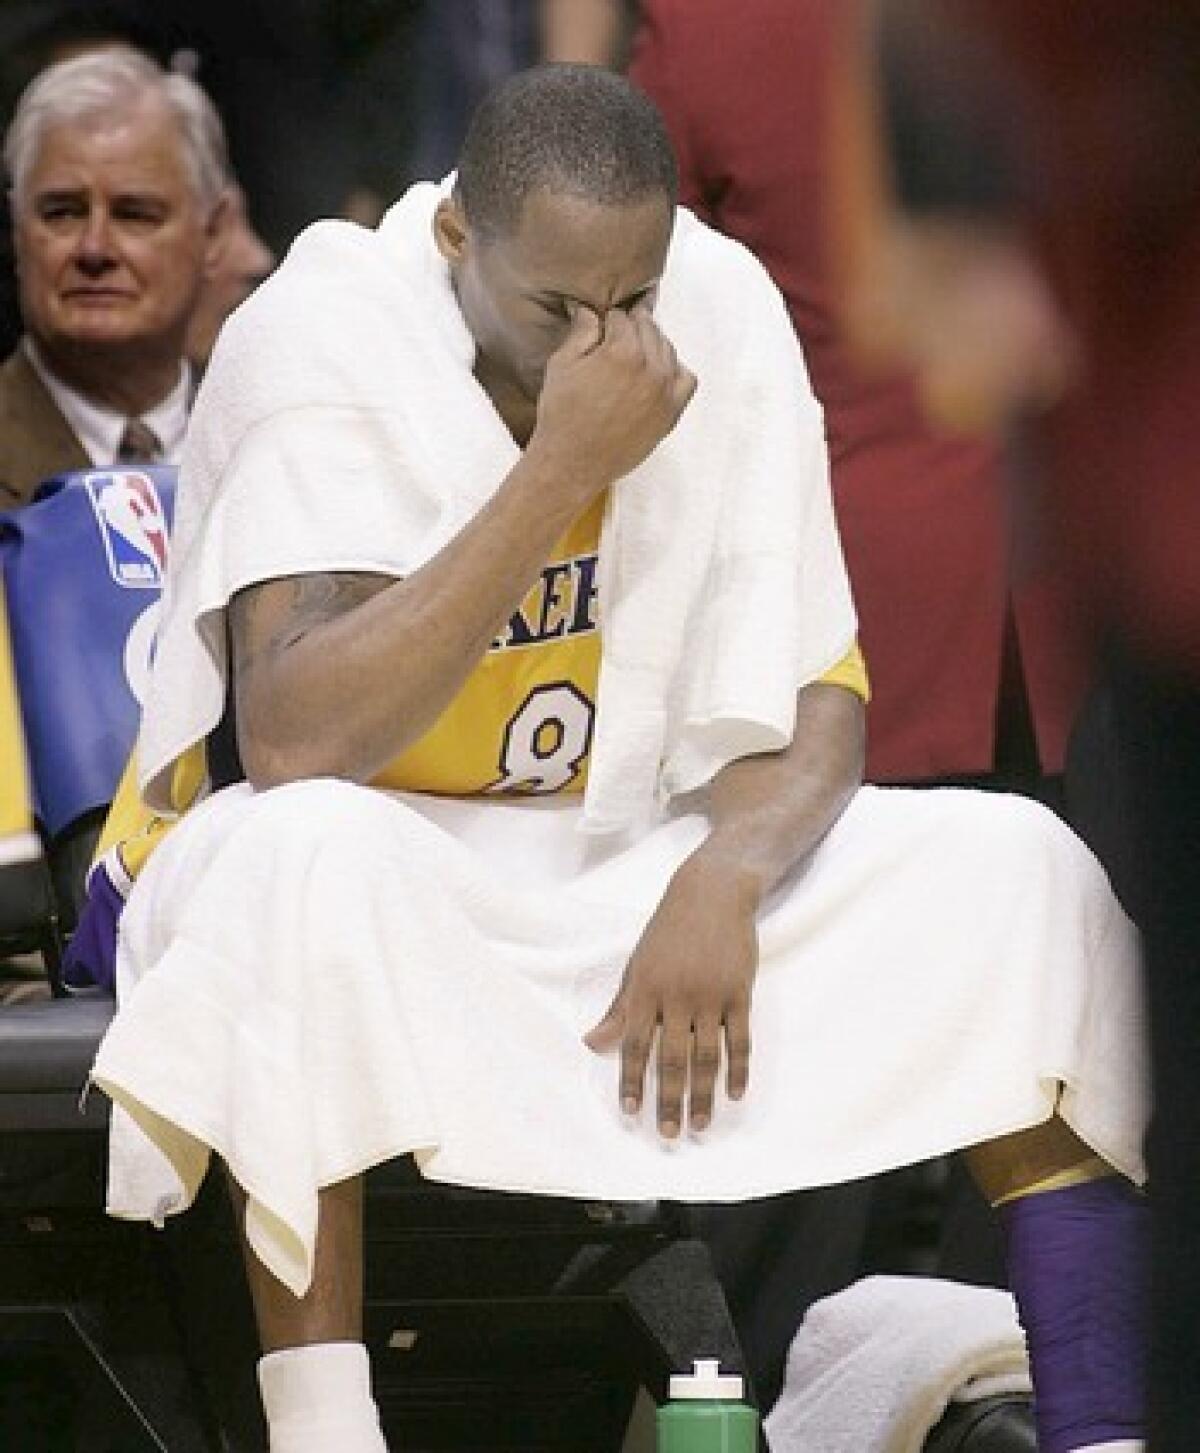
(874, 1368)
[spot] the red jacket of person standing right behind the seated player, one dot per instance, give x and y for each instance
(976, 671)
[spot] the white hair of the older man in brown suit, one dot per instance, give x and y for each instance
(104, 84)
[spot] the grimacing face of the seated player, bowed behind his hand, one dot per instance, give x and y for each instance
(518, 291)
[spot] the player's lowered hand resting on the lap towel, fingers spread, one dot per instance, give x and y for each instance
(685, 999)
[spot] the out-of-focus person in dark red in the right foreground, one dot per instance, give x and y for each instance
(1069, 312)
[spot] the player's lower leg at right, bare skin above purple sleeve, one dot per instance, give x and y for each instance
(1079, 1265)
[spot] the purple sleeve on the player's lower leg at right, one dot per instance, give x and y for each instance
(1079, 1265)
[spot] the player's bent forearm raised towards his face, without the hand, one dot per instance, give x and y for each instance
(355, 691)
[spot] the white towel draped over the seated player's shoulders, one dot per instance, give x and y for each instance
(341, 428)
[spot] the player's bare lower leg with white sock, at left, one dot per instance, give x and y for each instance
(315, 1374)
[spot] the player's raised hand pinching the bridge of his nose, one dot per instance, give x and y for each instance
(612, 393)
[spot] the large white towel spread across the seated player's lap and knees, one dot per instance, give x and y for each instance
(344, 976)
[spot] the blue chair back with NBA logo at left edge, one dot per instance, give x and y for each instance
(84, 575)
